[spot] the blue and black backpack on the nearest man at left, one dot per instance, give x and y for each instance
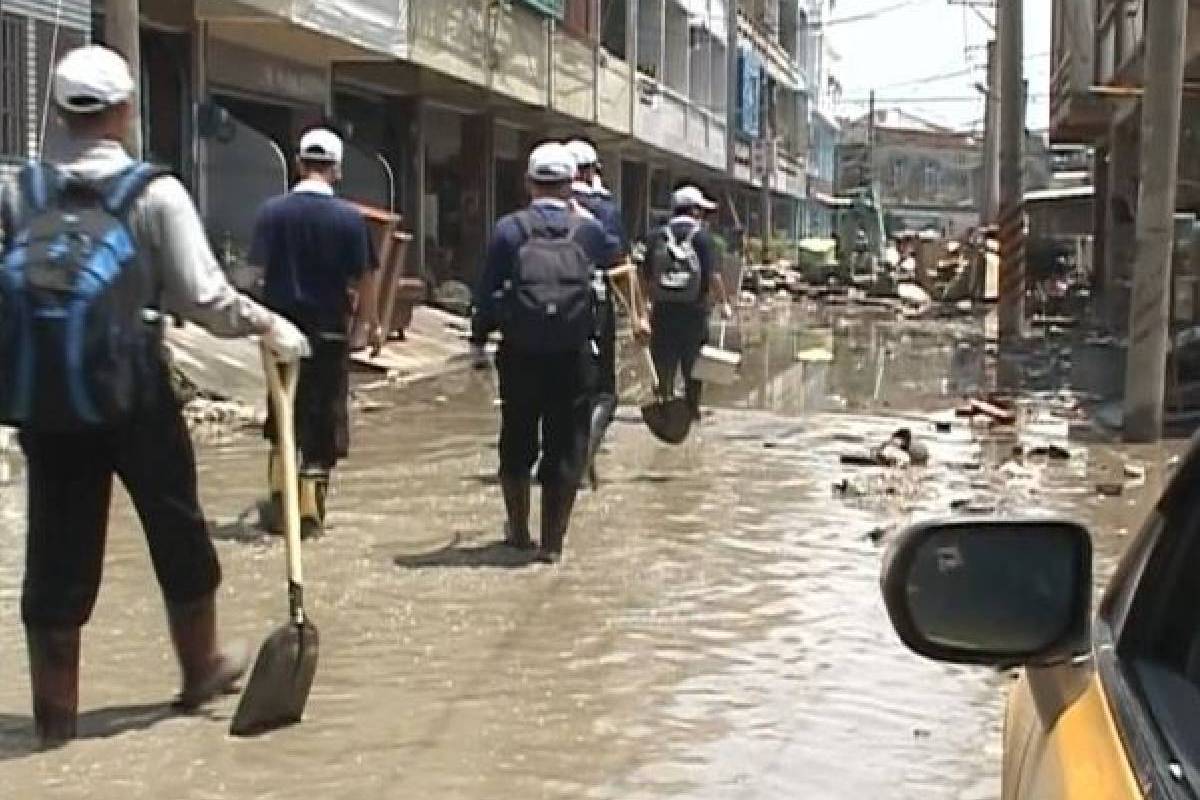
(75, 342)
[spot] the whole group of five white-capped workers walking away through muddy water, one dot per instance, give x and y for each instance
(99, 248)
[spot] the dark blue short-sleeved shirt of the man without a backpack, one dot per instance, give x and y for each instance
(315, 249)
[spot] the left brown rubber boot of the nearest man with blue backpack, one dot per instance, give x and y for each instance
(55, 681)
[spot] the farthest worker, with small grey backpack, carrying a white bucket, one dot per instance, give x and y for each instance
(682, 279)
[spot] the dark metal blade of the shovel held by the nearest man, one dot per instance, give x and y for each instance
(279, 687)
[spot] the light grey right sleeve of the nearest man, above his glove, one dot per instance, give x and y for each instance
(194, 284)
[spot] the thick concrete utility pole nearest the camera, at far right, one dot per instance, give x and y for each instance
(1150, 312)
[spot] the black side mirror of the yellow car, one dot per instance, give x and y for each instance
(991, 592)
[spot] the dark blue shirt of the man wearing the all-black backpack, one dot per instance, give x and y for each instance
(505, 250)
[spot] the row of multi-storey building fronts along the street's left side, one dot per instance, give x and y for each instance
(440, 101)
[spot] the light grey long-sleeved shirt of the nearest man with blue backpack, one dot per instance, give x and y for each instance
(169, 230)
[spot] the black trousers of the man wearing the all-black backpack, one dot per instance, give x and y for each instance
(548, 412)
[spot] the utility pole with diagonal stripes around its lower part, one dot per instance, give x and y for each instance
(1011, 15)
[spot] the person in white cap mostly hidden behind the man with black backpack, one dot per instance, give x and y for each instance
(589, 193)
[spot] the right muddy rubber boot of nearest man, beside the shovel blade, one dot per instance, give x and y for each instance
(208, 672)
